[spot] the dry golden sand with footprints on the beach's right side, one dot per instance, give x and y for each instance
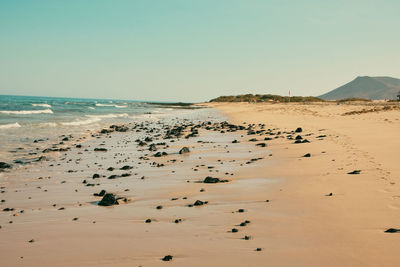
(306, 228)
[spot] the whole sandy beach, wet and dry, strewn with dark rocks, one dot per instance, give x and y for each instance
(274, 205)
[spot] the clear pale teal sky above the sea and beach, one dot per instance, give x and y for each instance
(187, 50)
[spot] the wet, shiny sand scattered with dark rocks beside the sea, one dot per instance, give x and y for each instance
(55, 219)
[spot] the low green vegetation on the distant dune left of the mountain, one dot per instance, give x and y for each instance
(266, 98)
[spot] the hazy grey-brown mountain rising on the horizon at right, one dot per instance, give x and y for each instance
(366, 87)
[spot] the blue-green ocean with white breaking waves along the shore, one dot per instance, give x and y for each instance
(26, 121)
